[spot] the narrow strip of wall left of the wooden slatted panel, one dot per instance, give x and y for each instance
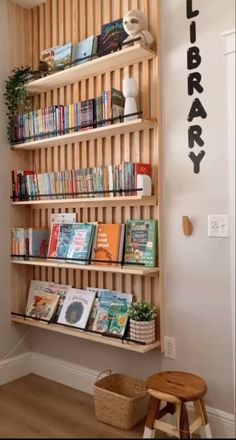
(9, 335)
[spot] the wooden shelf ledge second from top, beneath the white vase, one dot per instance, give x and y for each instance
(88, 135)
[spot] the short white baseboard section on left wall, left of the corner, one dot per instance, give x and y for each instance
(15, 367)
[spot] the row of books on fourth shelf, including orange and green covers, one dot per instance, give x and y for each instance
(134, 242)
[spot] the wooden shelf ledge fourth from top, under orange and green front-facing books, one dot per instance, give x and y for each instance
(129, 269)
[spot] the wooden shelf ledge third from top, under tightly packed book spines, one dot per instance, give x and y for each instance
(90, 202)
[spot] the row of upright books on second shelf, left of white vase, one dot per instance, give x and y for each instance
(58, 120)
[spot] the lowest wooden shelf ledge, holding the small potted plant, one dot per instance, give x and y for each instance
(132, 346)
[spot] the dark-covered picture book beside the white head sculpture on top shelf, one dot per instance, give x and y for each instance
(112, 35)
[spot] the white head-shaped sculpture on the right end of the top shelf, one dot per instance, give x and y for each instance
(134, 23)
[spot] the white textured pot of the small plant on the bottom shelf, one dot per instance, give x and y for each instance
(143, 331)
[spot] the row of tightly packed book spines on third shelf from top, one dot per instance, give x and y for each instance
(100, 181)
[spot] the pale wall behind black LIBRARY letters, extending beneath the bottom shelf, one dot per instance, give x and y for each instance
(197, 276)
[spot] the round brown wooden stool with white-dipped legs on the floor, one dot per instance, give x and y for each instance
(176, 388)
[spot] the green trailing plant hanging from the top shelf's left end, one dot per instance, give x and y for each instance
(16, 98)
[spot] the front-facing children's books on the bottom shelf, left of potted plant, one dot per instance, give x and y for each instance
(93, 309)
